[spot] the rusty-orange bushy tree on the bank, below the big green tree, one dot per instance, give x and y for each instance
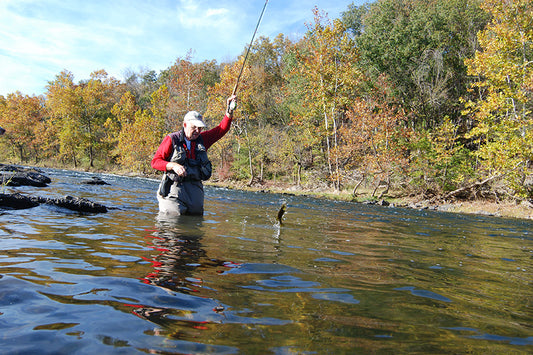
(373, 141)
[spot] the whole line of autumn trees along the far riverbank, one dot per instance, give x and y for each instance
(432, 97)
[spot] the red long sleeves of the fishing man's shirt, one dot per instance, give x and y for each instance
(164, 152)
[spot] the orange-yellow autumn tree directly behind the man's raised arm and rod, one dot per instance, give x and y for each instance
(259, 113)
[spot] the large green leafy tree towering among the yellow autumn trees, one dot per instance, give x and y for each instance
(420, 46)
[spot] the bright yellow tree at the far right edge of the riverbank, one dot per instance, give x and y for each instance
(503, 114)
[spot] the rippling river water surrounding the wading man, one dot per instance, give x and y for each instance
(334, 278)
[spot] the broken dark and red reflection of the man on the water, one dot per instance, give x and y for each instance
(178, 253)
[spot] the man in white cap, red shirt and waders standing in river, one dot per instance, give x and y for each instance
(183, 157)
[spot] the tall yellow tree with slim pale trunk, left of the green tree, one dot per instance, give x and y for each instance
(325, 77)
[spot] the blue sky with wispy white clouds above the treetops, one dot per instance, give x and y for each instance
(40, 38)
